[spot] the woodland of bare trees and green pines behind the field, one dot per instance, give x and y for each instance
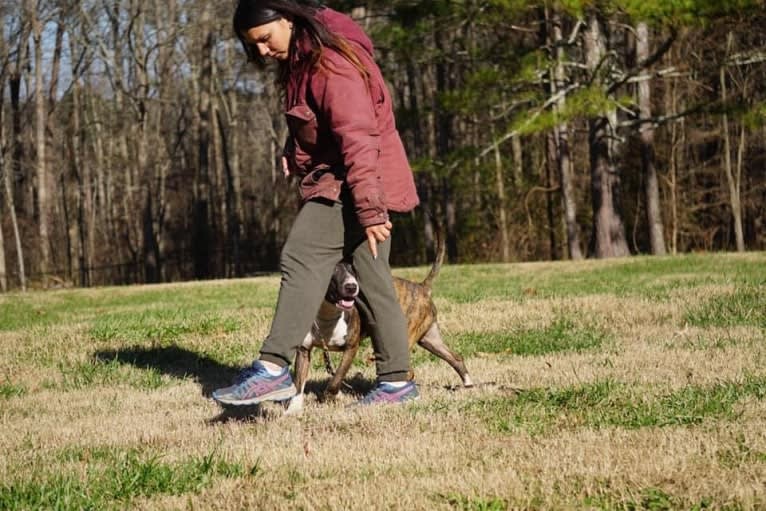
(138, 146)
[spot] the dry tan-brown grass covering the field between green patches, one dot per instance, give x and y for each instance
(413, 457)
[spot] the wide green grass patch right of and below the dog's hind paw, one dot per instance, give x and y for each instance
(608, 403)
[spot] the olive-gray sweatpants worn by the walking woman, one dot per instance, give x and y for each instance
(325, 232)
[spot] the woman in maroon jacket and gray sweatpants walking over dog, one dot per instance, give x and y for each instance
(349, 158)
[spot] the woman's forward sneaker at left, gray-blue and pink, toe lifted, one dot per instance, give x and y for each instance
(255, 384)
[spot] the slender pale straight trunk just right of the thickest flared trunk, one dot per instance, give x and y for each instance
(651, 186)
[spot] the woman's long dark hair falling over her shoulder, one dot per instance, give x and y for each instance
(251, 13)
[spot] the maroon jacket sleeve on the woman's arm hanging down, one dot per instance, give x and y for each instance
(344, 101)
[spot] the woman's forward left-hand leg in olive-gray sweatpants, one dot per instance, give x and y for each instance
(313, 247)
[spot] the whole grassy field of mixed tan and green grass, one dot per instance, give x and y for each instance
(624, 384)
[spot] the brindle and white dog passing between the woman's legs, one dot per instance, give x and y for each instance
(339, 327)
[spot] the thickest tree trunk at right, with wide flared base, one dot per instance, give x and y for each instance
(608, 229)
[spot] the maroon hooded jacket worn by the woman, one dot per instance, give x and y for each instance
(342, 129)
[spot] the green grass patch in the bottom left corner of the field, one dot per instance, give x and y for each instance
(117, 479)
